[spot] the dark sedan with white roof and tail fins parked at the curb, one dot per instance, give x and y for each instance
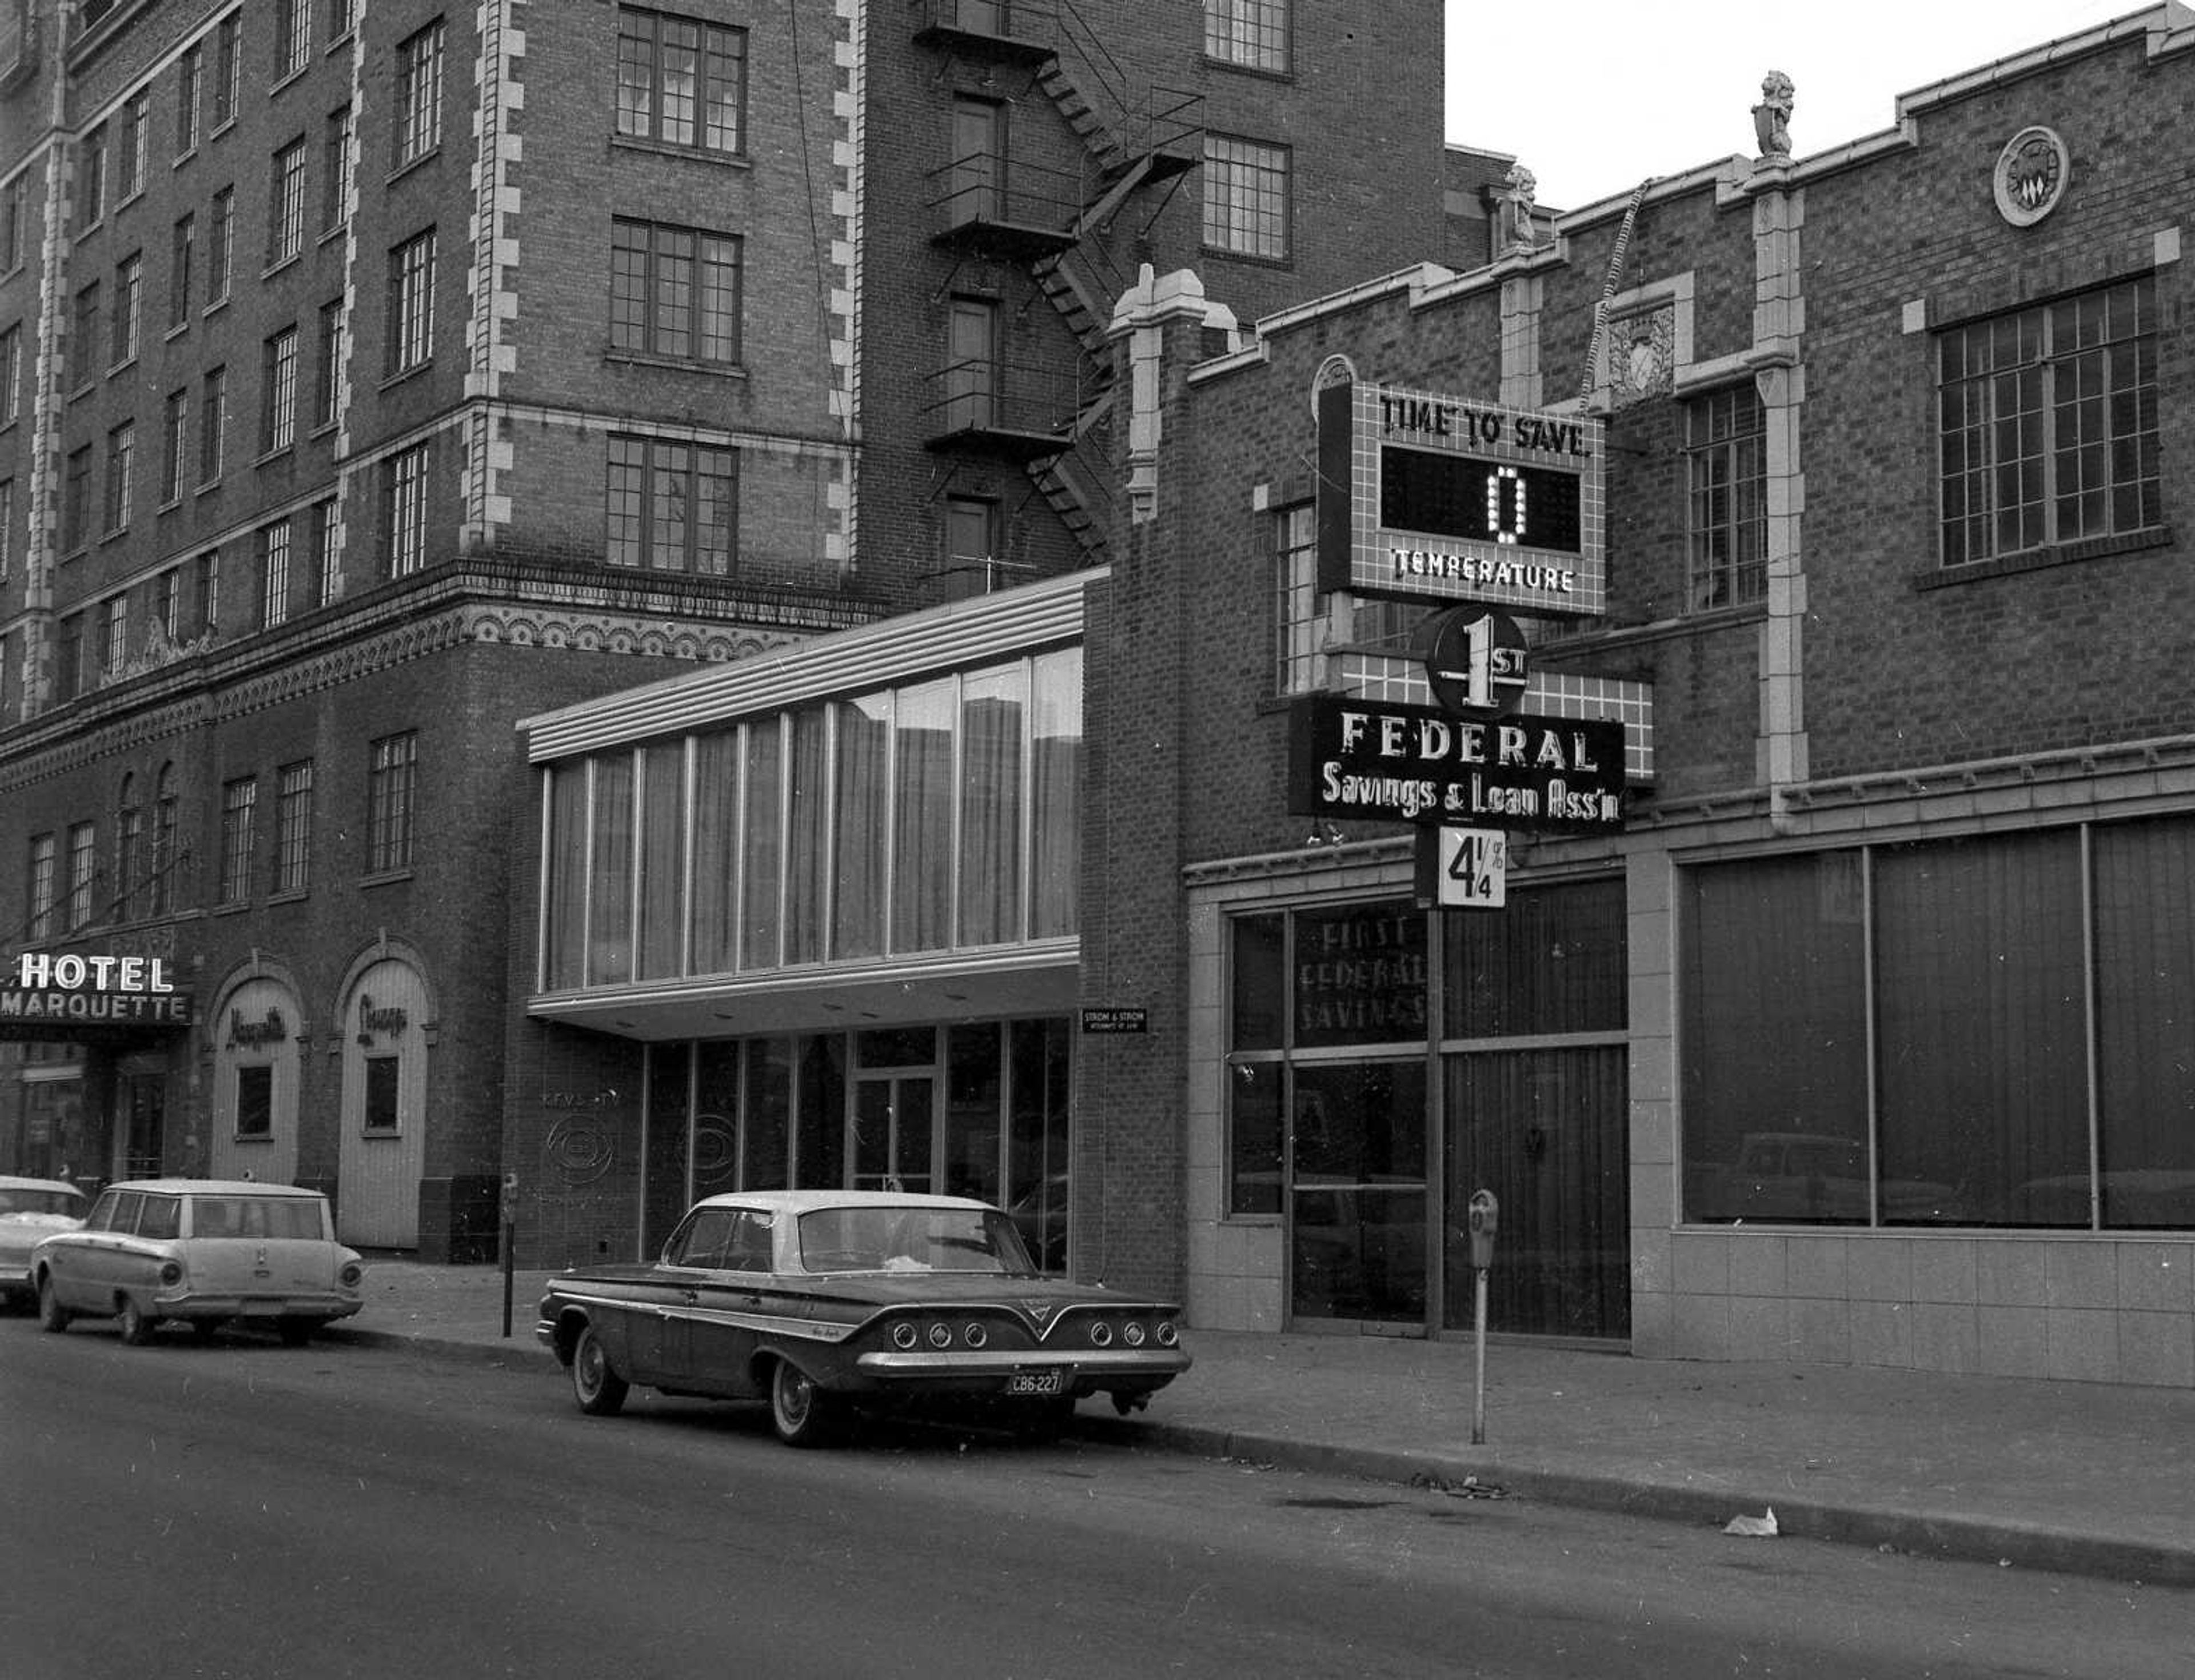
(833, 1303)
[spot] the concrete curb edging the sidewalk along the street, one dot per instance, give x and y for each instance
(1926, 1534)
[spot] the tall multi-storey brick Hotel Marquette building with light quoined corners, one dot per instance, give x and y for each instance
(379, 372)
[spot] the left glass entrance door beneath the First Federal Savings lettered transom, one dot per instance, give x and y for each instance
(1358, 1194)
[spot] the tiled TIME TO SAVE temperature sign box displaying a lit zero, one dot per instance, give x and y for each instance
(1443, 497)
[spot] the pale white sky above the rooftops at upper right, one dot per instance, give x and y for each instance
(1595, 96)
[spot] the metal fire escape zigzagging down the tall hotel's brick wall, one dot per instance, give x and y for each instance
(1138, 155)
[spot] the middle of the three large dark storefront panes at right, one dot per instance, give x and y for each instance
(1983, 1031)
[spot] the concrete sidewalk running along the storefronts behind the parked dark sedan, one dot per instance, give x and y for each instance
(2042, 1475)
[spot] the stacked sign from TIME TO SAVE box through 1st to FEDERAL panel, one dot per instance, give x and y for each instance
(1472, 508)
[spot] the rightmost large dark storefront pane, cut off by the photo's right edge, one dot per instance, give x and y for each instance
(2146, 1005)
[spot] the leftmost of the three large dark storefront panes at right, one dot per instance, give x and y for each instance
(1775, 1040)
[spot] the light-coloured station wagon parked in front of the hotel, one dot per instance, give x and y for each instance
(203, 1253)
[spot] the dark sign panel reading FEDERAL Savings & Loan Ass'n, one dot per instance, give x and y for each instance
(1406, 763)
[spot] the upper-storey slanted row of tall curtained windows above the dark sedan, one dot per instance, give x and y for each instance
(923, 818)
